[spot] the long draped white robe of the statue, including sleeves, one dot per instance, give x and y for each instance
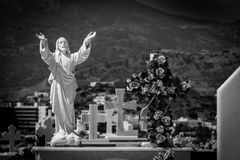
(63, 85)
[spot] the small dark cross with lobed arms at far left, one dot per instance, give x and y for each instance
(12, 136)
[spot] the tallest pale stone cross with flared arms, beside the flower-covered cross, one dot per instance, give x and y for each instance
(119, 106)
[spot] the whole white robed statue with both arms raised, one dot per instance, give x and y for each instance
(62, 79)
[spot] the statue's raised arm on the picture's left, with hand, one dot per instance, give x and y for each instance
(44, 50)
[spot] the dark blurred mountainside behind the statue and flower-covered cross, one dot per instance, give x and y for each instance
(203, 51)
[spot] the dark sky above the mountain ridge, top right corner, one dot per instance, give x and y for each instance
(223, 11)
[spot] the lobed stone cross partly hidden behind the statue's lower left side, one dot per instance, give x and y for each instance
(46, 128)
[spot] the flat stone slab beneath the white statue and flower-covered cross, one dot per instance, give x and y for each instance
(104, 153)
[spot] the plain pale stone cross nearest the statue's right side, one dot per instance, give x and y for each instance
(92, 118)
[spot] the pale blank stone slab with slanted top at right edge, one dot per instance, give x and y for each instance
(228, 118)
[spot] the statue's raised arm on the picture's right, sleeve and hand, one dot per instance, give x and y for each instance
(84, 51)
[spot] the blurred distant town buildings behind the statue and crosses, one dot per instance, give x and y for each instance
(33, 109)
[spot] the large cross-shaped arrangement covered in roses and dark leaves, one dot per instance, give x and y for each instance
(157, 87)
